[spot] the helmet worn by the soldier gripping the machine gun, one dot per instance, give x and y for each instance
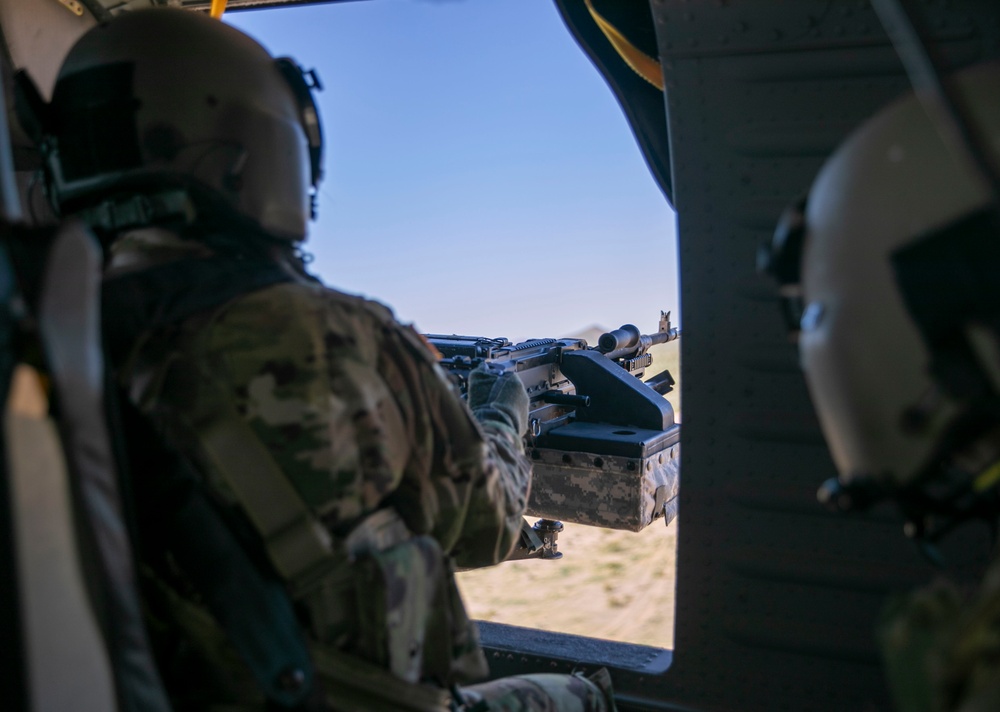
(161, 103)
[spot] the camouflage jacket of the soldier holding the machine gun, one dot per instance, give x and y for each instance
(358, 416)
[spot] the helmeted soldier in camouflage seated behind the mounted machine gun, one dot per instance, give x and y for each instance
(321, 430)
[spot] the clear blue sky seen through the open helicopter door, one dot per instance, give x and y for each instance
(480, 176)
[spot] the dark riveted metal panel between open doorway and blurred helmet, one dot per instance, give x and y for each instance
(776, 600)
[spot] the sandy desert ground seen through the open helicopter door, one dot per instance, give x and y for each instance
(615, 585)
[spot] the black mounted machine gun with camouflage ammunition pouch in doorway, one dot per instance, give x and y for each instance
(603, 442)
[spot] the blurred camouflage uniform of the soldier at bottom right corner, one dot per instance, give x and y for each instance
(942, 648)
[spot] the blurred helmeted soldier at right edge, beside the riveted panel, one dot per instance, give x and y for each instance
(898, 341)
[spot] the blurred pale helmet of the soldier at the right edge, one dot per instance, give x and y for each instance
(900, 287)
